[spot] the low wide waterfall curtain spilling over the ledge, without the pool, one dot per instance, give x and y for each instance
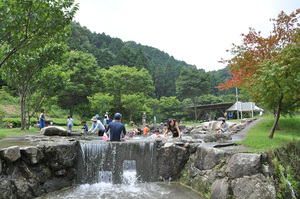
(117, 162)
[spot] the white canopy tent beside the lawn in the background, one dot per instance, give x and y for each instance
(244, 107)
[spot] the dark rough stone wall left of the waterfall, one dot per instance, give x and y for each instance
(30, 171)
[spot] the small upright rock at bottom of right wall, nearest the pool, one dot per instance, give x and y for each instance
(219, 189)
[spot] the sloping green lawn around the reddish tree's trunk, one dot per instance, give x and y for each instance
(257, 137)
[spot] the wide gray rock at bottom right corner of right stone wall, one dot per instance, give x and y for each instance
(252, 188)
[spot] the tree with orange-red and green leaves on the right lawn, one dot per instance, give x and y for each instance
(257, 57)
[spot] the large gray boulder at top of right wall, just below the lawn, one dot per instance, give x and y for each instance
(242, 164)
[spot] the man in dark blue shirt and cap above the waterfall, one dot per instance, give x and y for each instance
(116, 130)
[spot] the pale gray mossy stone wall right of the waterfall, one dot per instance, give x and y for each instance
(219, 174)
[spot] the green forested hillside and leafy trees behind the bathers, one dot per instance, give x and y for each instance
(100, 73)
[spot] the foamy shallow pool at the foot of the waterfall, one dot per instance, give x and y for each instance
(126, 191)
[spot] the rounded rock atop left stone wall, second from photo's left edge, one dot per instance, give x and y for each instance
(31, 154)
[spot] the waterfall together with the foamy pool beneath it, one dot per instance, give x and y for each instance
(119, 170)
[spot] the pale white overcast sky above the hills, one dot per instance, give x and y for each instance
(198, 32)
